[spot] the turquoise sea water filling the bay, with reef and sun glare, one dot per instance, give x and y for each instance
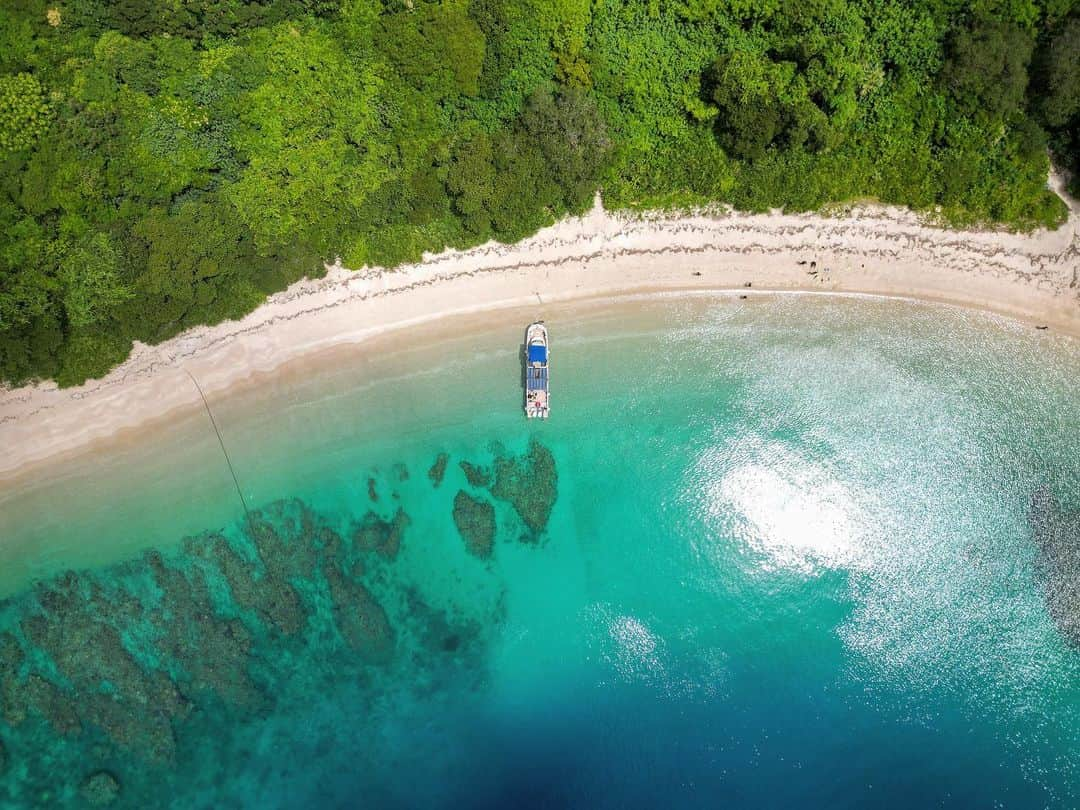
(792, 559)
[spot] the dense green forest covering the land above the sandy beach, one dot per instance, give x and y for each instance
(167, 164)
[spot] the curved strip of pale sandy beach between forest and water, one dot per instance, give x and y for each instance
(868, 250)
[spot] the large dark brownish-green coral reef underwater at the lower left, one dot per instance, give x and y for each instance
(121, 669)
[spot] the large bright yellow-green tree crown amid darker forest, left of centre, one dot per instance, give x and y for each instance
(309, 134)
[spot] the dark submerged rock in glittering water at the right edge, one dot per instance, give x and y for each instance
(1058, 539)
